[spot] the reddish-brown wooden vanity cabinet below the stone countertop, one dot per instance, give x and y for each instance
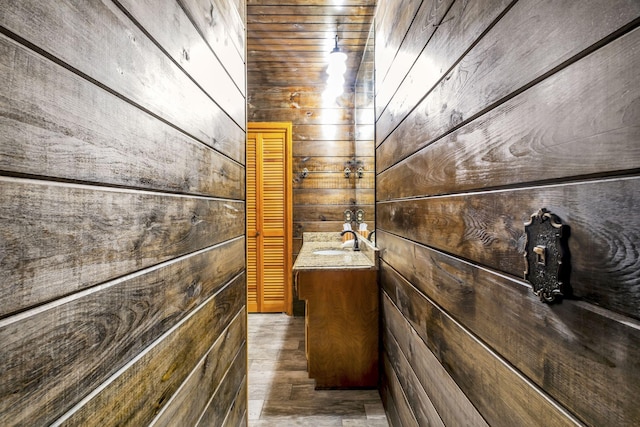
(342, 329)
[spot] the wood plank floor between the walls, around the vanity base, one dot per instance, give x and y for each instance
(280, 391)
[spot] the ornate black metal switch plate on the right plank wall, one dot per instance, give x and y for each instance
(546, 255)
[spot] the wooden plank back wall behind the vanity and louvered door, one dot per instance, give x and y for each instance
(323, 143)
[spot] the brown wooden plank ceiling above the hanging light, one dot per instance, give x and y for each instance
(288, 41)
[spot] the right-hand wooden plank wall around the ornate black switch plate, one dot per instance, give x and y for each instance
(487, 111)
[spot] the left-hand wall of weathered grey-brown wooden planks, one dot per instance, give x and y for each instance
(122, 187)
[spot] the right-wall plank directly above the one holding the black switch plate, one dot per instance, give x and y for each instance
(554, 132)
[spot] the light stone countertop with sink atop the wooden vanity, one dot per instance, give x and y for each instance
(366, 258)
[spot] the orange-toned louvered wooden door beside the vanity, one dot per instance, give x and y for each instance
(269, 221)
